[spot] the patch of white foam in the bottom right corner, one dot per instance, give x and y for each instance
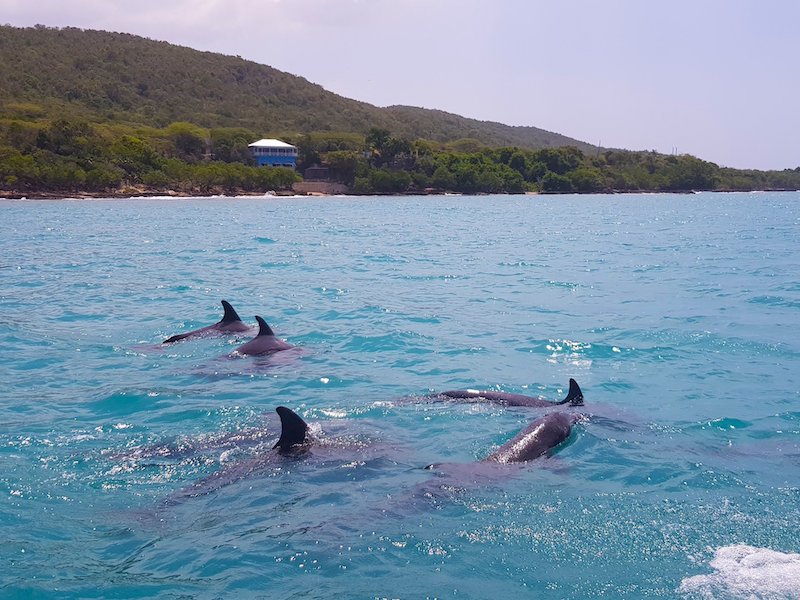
(743, 571)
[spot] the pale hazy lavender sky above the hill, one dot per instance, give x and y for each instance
(719, 79)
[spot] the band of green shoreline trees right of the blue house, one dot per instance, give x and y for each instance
(395, 165)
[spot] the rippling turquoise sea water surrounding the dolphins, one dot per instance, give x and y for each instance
(131, 469)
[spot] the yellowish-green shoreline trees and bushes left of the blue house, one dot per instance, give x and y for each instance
(75, 156)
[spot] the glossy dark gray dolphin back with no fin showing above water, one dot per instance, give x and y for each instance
(538, 438)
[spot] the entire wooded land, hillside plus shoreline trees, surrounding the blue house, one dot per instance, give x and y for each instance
(88, 111)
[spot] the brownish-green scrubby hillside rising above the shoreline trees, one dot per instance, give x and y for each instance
(114, 77)
